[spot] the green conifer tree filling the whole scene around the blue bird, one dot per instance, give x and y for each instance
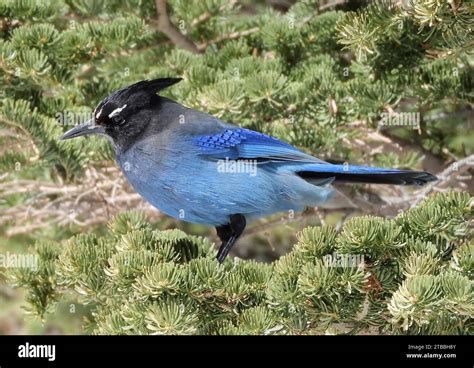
(335, 80)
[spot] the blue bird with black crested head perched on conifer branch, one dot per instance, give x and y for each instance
(197, 168)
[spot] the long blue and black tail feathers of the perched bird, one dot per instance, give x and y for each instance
(364, 174)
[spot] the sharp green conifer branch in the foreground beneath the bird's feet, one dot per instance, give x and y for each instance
(143, 281)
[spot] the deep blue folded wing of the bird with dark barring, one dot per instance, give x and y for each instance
(242, 143)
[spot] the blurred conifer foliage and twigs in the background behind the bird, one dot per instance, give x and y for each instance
(322, 75)
